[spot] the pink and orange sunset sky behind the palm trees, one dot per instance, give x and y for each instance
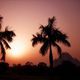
(25, 17)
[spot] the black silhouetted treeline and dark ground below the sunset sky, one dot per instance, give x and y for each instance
(64, 71)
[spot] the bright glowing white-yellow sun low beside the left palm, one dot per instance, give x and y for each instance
(17, 49)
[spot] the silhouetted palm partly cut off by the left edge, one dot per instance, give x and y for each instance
(5, 37)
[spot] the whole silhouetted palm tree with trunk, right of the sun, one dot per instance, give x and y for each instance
(49, 36)
